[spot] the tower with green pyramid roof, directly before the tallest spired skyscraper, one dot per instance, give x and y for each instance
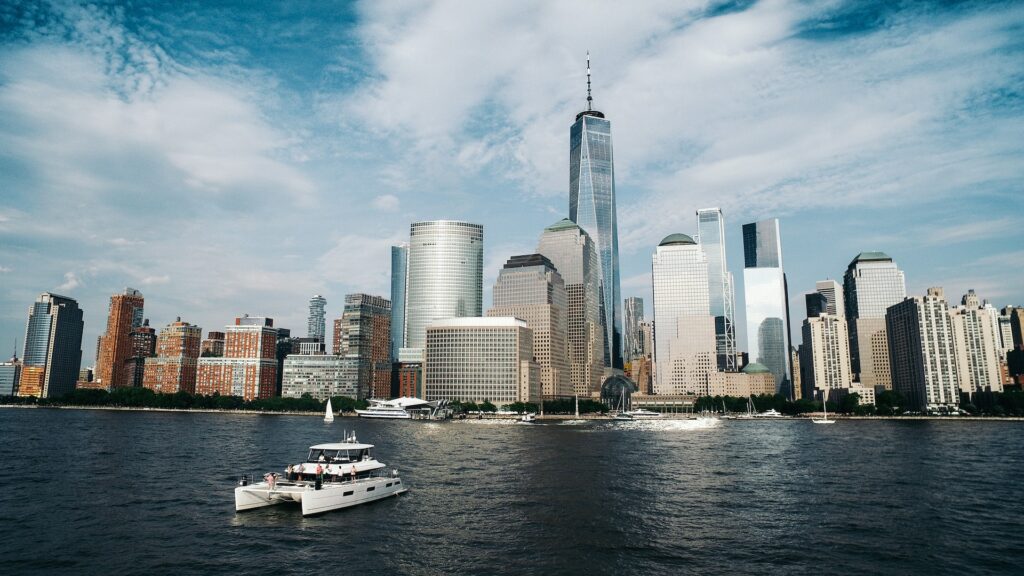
(573, 253)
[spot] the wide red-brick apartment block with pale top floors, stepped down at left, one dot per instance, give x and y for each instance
(249, 367)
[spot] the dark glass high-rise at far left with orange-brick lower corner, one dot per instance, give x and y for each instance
(53, 347)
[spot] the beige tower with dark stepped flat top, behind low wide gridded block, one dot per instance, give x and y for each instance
(530, 289)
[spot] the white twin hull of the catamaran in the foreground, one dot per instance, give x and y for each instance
(332, 497)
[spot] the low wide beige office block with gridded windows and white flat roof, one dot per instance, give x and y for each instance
(481, 359)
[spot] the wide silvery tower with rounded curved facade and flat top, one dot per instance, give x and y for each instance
(446, 277)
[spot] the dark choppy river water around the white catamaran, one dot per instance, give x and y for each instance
(100, 492)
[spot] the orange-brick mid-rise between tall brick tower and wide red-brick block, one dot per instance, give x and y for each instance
(175, 367)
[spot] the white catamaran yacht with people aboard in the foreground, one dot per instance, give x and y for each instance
(334, 476)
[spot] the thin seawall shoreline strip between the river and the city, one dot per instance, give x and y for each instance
(552, 418)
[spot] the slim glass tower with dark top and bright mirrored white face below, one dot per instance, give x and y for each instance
(767, 302)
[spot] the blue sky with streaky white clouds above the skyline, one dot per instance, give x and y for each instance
(238, 158)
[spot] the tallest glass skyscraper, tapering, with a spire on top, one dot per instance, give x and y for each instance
(592, 207)
